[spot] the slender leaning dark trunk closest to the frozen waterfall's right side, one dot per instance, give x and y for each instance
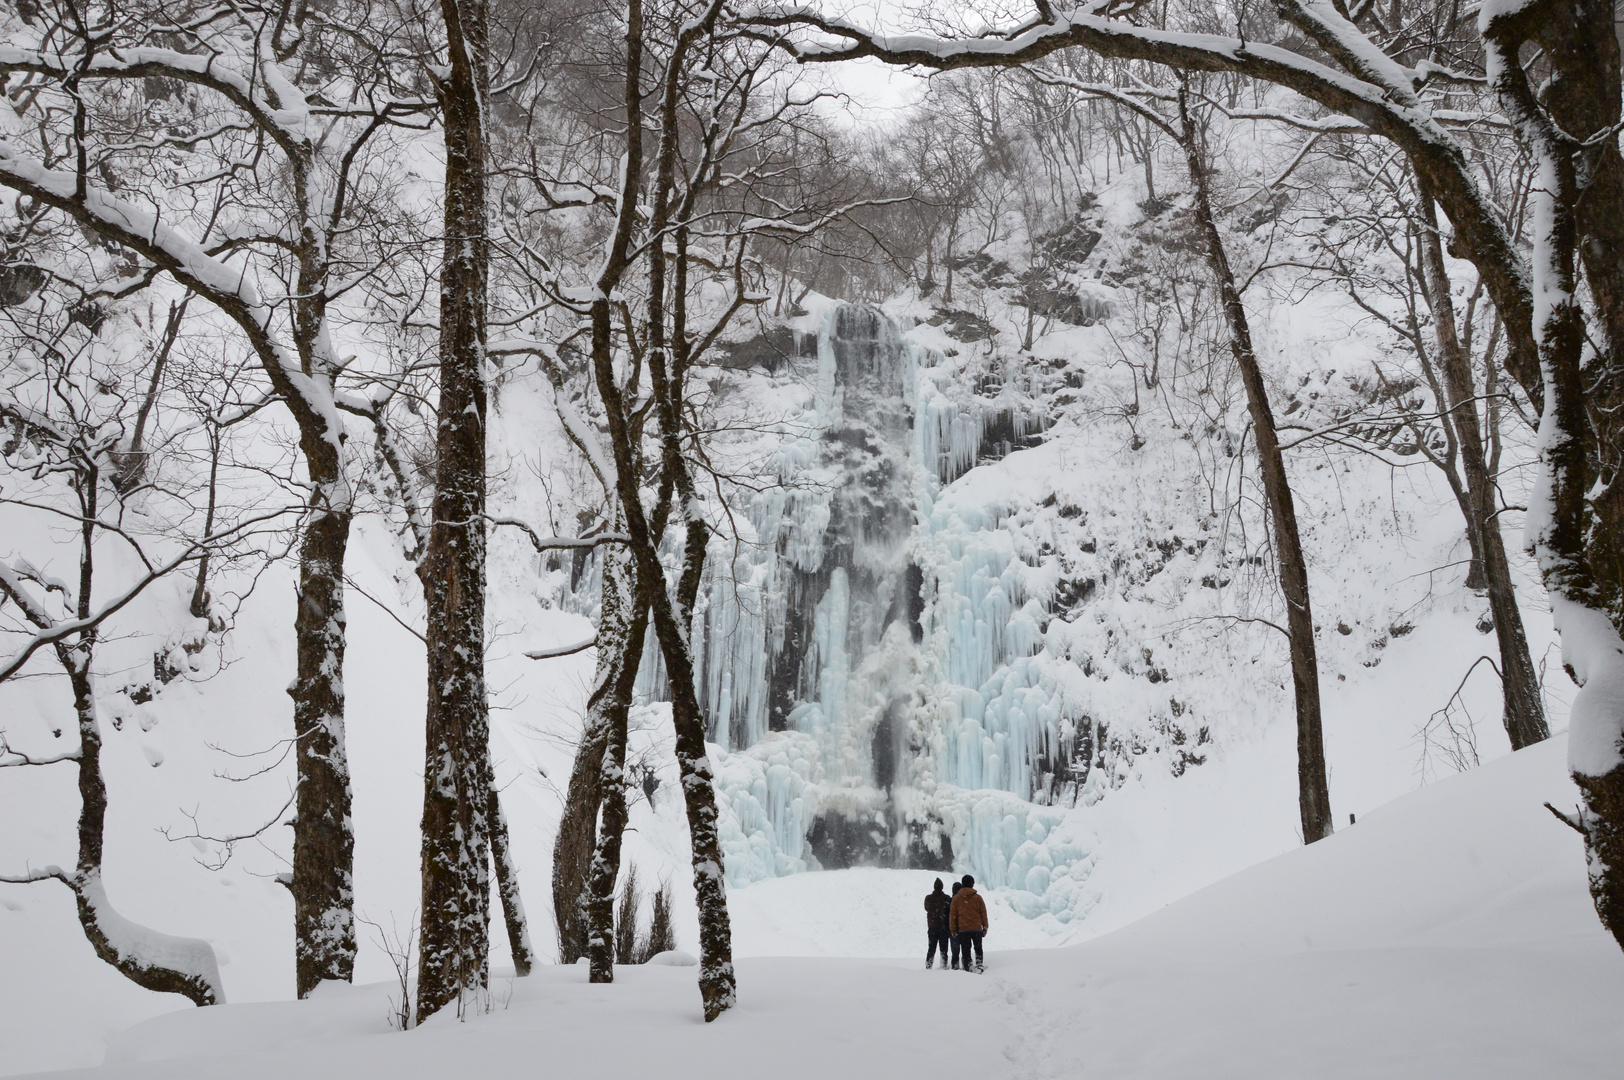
(1313, 790)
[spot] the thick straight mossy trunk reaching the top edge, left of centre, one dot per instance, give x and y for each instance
(456, 940)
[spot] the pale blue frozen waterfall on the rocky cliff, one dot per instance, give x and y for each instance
(868, 663)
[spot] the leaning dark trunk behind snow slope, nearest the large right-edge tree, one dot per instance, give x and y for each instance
(1524, 704)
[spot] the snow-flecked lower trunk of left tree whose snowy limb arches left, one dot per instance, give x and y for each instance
(324, 837)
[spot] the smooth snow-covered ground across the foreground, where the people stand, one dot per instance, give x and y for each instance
(1448, 935)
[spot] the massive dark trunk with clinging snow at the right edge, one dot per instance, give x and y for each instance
(1571, 512)
